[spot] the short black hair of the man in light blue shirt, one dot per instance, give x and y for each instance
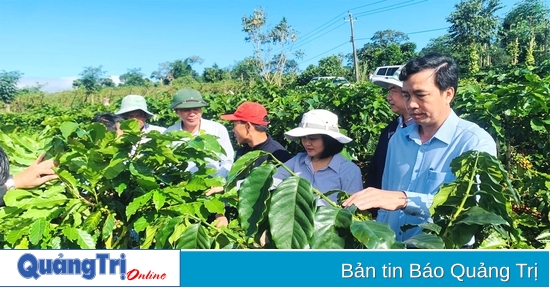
(446, 70)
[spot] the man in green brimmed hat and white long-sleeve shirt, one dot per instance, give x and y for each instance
(188, 103)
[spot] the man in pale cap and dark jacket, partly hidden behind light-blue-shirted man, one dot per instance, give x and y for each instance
(397, 105)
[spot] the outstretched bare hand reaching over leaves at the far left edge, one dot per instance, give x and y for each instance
(35, 175)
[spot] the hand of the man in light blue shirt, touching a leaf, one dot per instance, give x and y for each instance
(377, 198)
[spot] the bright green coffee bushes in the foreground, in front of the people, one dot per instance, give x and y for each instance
(131, 192)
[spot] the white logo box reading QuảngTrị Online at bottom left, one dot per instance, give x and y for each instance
(89, 268)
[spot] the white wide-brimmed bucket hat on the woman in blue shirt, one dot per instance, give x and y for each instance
(318, 121)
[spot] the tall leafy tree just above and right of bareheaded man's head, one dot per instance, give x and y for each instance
(473, 29)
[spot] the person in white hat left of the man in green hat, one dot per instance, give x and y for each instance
(135, 107)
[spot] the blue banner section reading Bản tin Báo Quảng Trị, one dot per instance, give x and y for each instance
(364, 268)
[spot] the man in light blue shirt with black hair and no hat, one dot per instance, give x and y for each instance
(419, 156)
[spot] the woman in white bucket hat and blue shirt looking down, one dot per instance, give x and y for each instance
(322, 164)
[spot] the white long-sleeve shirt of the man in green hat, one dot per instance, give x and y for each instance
(223, 166)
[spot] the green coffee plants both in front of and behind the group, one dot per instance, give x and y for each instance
(123, 192)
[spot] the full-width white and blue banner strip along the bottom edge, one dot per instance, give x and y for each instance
(275, 268)
